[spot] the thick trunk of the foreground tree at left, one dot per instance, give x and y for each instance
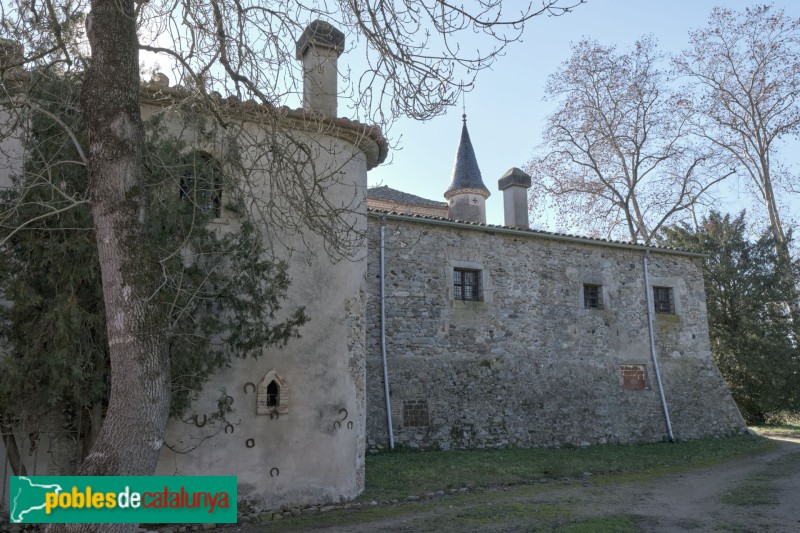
(131, 437)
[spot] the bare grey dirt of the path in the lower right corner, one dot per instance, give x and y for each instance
(759, 493)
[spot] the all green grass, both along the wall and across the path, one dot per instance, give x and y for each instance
(398, 474)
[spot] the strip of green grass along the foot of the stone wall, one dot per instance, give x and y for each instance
(397, 474)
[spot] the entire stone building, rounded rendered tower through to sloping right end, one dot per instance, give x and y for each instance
(493, 335)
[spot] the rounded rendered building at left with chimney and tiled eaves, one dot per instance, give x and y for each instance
(296, 433)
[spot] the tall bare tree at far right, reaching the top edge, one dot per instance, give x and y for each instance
(745, 67)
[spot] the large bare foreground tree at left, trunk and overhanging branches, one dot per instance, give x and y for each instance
(245, 49)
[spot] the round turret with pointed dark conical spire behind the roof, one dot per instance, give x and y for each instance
(466, 196)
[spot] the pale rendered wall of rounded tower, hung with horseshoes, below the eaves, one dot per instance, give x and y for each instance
(314, 451)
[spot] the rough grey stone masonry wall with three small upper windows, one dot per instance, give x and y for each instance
(530, 365)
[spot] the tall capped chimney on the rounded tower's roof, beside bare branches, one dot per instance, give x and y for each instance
(319, 49)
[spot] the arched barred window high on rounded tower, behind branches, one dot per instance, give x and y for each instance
(201, 183)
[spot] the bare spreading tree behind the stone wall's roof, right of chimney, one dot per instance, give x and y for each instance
(619, 158)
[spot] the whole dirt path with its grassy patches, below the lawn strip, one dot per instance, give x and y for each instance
(753, 494)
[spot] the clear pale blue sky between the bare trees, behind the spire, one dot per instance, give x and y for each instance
(506, 112)
